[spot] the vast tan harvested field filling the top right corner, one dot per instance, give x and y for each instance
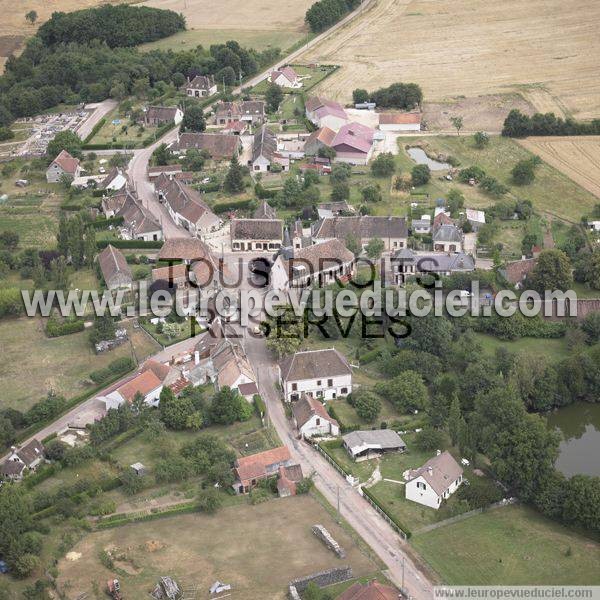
(545, 49)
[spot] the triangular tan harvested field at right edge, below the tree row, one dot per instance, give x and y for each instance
(577, 157)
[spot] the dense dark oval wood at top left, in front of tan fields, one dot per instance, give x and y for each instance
(120, 25)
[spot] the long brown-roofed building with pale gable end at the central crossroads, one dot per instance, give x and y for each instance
(317, 264)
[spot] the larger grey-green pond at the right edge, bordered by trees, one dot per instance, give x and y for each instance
(579, 449)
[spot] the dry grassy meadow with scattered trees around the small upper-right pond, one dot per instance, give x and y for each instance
(551, 192)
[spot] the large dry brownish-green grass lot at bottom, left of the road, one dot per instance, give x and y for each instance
(257, 549)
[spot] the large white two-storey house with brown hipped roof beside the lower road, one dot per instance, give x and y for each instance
(324, 374)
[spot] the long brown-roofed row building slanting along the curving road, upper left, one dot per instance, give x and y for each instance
(186, 207)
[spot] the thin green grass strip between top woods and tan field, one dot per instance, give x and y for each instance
(257, 39)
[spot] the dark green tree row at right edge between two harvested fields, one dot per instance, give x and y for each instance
(518, 124)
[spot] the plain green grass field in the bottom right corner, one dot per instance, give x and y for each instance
(513, 545)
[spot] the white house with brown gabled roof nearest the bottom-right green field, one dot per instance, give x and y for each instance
(435, 481)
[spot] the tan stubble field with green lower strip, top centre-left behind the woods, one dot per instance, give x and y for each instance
(258, 24)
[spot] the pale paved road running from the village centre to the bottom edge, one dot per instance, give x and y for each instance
(356, 510)
